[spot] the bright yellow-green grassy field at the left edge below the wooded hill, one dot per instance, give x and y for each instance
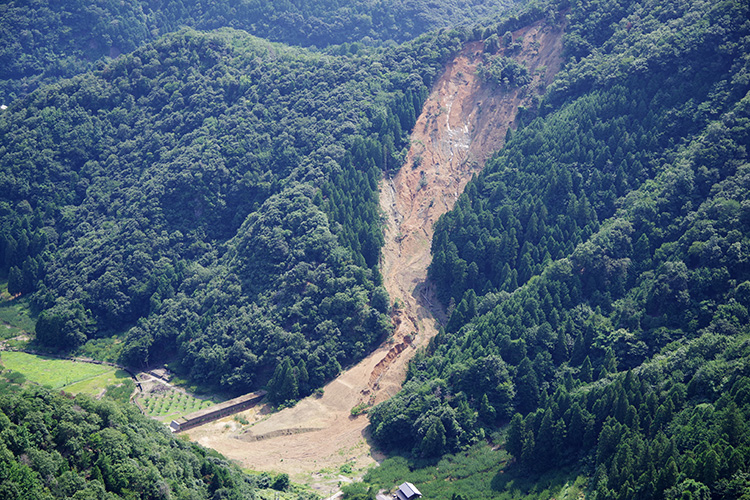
(71, 376)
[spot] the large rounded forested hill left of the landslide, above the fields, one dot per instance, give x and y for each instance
(176, 185)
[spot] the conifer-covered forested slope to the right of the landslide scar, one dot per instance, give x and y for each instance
(596, 270)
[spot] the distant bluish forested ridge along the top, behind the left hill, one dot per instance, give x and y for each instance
(41, 42)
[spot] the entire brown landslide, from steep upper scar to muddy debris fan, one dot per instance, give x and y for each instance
(462, 123)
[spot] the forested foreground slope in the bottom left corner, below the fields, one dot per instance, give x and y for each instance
(54, 446)
